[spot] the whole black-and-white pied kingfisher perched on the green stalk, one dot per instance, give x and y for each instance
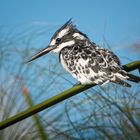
(84, 60)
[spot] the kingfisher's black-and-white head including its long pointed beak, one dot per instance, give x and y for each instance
(66, 36)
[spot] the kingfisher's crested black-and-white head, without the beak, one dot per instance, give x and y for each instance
(66, 36)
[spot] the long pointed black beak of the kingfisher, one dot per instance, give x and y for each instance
(41, 53)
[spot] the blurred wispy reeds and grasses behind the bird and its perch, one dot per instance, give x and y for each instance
(109, 112)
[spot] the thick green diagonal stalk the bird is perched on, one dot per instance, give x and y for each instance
(56, 99)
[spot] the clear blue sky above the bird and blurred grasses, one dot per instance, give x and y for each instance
(118, 21)
